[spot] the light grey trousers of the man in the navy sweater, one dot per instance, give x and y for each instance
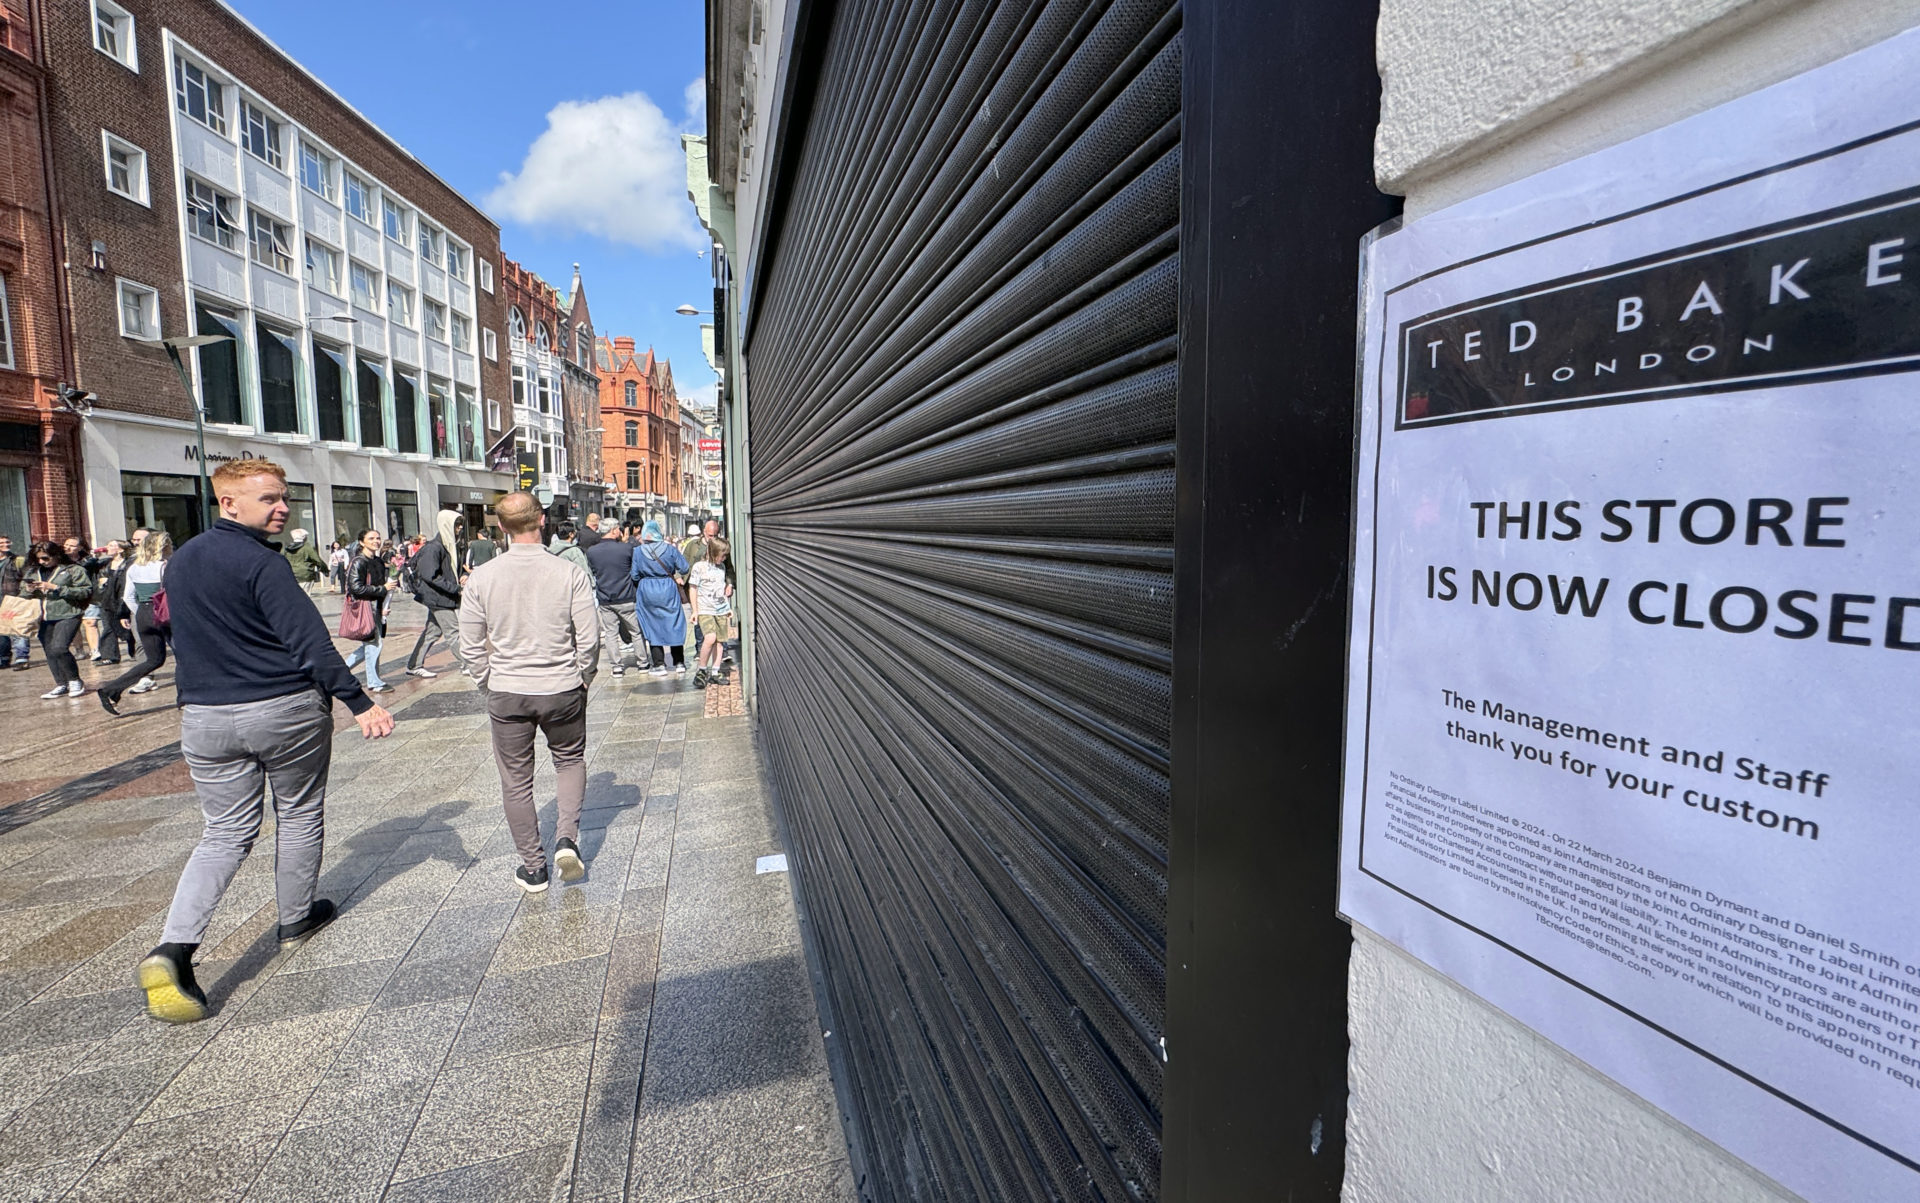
(233, 753)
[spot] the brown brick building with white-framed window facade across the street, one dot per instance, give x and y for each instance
(206, 183)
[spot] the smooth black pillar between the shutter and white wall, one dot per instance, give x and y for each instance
(1278, 156)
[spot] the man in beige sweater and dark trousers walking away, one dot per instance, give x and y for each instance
(531, 636)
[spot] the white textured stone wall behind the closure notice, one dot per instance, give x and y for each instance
(1451, 1098)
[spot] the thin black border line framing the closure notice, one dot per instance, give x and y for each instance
(1366, 763)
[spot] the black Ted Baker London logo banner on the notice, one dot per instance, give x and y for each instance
(1819, 298)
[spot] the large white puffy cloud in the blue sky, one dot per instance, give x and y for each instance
(610, 168)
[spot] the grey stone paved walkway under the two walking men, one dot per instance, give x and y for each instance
(648, 1033)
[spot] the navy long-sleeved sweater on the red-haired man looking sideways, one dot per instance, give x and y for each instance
(243, 626)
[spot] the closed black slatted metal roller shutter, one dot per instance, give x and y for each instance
(961, 375)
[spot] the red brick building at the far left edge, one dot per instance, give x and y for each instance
(39, 435)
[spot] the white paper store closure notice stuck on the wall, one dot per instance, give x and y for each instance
(1635, 671)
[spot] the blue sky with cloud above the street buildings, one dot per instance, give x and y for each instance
(560, 120)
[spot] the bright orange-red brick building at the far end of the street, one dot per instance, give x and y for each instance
(640, 431)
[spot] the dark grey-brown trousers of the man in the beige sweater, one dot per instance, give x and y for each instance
(564, 720)
